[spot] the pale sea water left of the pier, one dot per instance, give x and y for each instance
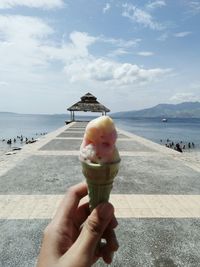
(17, 126)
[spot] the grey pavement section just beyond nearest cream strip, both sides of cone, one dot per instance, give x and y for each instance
(137, 175)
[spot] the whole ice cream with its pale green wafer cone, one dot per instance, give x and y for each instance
(100, 159)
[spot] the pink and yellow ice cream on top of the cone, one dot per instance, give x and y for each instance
(99, 140)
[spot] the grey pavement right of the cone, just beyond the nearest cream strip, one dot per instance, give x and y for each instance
(156, 174)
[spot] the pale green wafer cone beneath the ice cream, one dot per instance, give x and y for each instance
(99, 179)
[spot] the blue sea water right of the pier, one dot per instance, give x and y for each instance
(177, 130)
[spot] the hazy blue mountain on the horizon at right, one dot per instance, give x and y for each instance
(182, 110)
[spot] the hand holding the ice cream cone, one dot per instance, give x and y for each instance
(72, 239)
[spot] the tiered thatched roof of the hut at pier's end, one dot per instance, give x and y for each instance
(88, 103)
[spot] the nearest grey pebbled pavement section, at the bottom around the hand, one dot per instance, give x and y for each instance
(143, 242)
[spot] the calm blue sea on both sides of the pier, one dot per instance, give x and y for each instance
(34, 126)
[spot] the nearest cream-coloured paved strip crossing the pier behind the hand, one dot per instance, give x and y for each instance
(126, 206)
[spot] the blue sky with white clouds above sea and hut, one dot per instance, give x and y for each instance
(129, 54)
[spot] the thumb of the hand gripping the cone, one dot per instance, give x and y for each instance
(94, 227)
